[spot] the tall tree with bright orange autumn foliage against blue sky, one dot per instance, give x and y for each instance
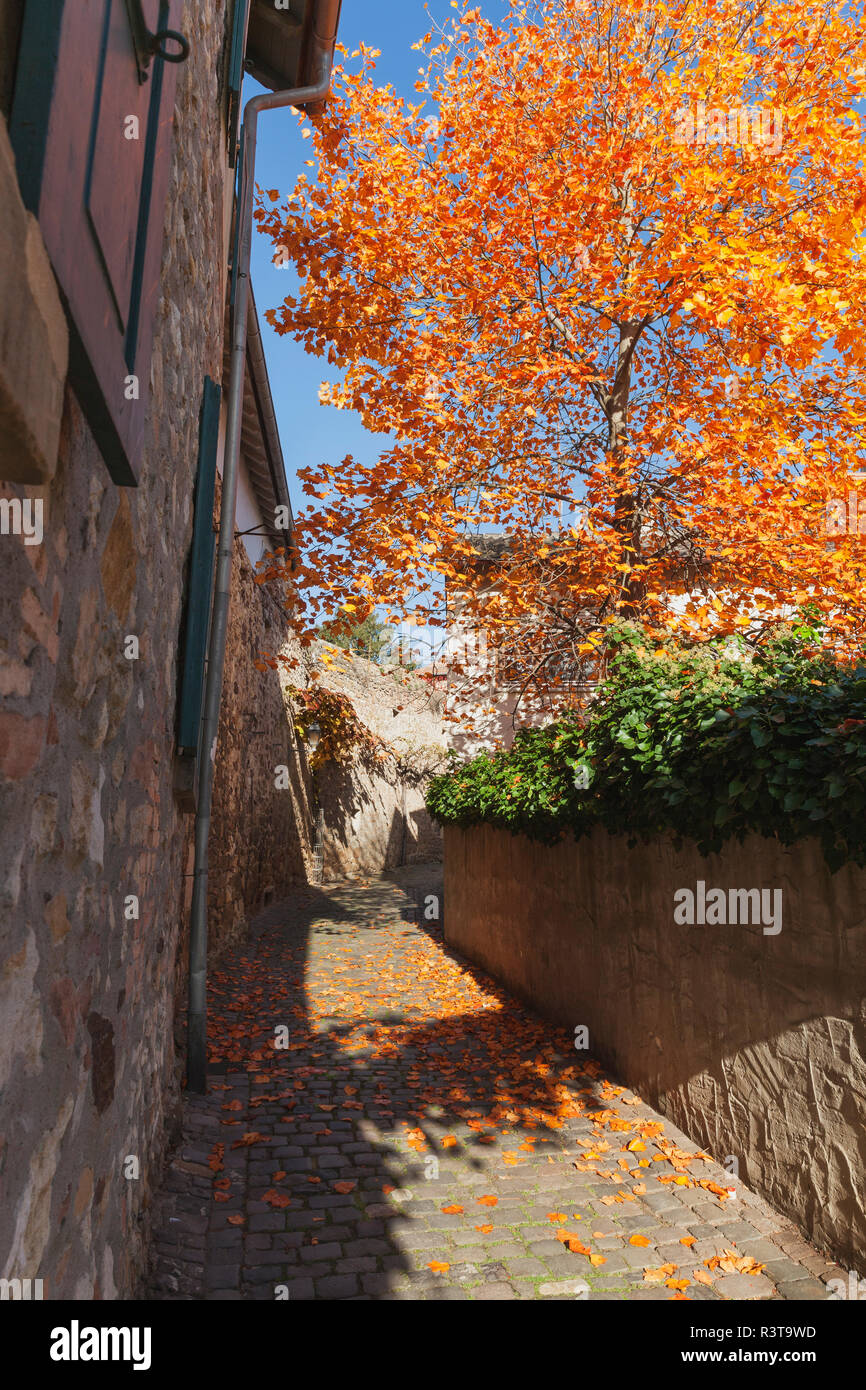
(600, 286)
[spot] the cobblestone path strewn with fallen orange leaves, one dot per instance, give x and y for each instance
(423, 1136)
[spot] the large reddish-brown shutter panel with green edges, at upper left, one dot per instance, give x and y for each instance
(94, 154)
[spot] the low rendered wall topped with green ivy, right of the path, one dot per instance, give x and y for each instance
(753, 1043)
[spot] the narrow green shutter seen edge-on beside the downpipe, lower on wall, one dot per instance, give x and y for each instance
(201, 573)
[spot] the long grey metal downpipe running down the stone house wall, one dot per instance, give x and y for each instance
(197, 1043)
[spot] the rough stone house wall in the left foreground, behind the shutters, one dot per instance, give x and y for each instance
(87, 740)
